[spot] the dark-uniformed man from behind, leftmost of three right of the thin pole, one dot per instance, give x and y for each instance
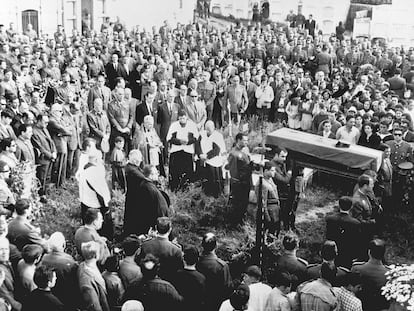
(290, 262)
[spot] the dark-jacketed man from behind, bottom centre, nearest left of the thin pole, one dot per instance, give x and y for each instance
(217, 273)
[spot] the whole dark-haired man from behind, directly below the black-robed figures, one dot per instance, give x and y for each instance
(169, 254)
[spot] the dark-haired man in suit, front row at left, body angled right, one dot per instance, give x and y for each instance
(45, 149)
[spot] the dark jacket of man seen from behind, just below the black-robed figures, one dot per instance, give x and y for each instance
(169, 254)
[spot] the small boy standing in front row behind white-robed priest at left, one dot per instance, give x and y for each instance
(118, 162)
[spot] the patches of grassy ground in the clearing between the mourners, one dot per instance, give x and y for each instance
(195, 214)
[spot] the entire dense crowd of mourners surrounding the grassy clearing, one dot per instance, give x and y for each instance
(151, 104)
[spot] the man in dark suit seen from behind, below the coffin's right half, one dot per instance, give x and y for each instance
(344, 229)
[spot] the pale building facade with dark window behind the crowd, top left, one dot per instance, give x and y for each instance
(45, 15)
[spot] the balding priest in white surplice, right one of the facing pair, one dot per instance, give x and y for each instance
(211, 149)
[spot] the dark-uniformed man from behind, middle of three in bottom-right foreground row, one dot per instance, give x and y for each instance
(329, 252)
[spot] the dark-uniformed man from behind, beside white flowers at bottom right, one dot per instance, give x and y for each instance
(373, 275)
